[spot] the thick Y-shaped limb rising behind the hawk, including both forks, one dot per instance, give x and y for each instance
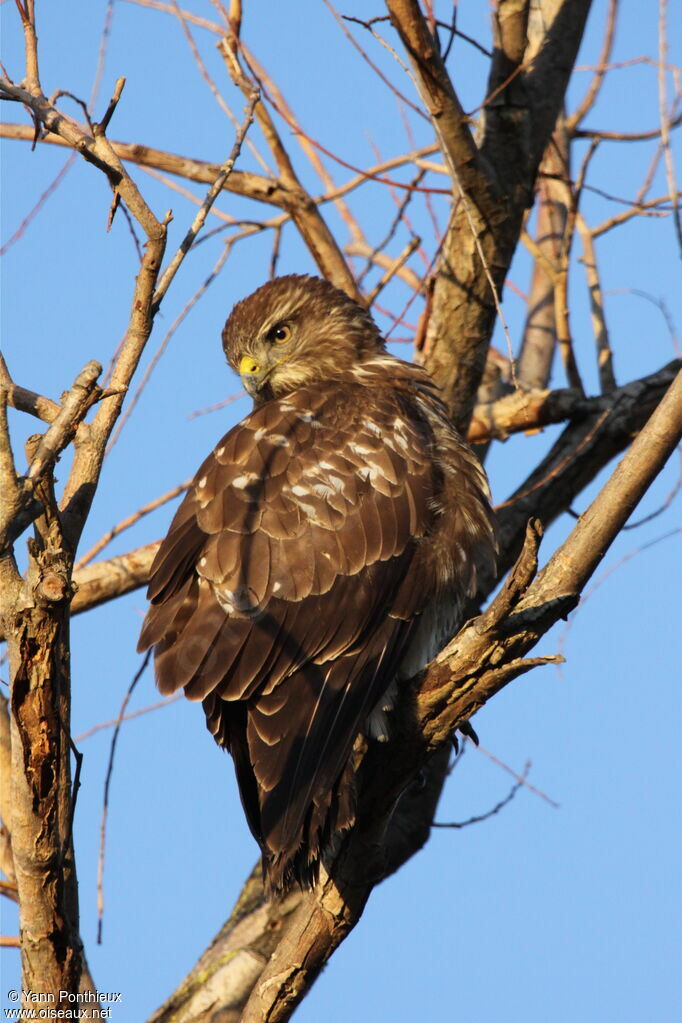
(493, 185)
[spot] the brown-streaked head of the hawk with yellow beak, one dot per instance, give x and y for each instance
(296, 331)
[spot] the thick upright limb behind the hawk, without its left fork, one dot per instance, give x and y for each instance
(478, 250)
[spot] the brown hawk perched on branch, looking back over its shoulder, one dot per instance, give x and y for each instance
(321, 558)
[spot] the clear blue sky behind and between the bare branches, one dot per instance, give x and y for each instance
(540, 914)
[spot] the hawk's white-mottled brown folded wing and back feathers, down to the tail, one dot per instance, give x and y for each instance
(288, 563)
